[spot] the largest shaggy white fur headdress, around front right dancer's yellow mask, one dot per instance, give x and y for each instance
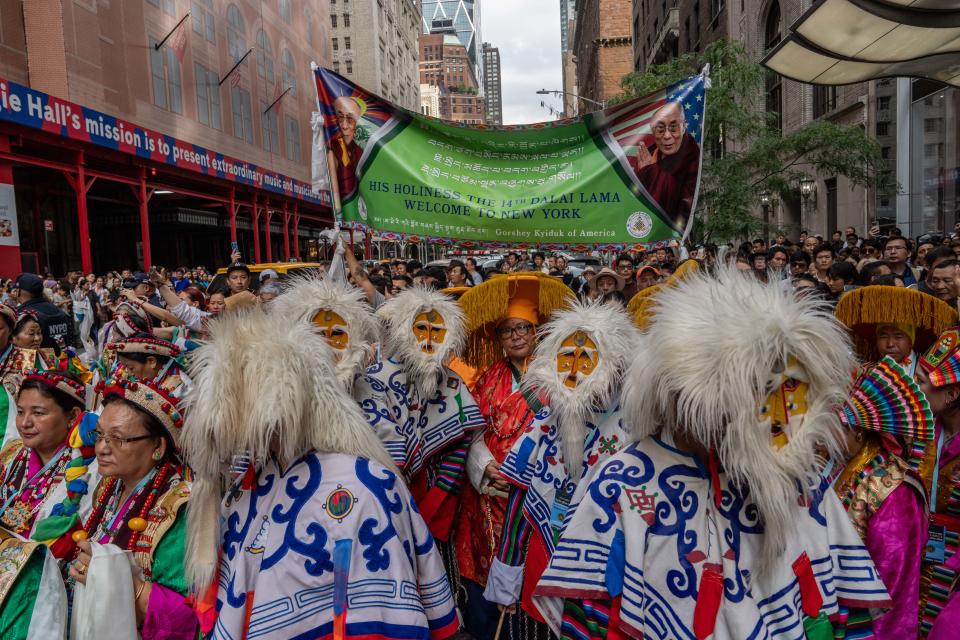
(712, 353)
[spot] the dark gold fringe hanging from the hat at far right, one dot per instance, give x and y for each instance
(861, 310)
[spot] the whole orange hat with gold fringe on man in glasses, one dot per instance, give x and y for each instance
(530, 296)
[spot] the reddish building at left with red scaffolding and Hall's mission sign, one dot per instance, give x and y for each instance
(228, 78)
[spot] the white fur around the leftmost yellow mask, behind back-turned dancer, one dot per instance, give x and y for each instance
(304, 296)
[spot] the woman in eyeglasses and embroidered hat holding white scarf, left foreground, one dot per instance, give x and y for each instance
(138, 506)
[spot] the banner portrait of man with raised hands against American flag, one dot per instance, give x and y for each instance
(668, 169)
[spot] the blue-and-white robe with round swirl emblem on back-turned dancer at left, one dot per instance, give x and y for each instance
(332, 532)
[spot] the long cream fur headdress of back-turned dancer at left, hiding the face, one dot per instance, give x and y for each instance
(267, 390)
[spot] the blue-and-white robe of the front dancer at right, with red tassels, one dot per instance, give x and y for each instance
(647, 526)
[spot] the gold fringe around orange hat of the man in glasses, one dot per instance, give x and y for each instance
(486, 304)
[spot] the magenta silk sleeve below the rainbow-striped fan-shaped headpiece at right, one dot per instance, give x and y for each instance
(896, 536)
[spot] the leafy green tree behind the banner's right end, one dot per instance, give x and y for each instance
(744, 155)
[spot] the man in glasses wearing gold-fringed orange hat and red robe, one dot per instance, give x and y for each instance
(502, 317)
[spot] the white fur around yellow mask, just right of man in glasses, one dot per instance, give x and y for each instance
(616, 338)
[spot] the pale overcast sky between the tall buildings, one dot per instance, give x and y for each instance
(528, 35)
